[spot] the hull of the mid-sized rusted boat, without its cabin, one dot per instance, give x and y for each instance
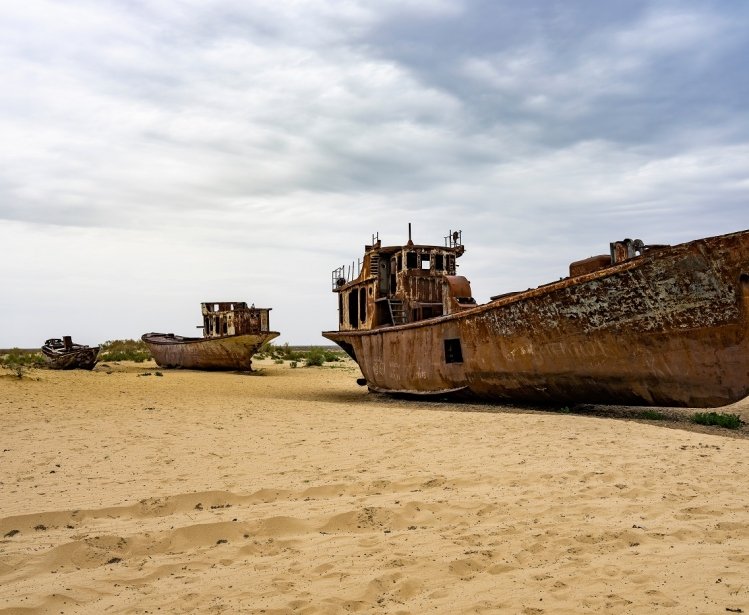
(231, 352)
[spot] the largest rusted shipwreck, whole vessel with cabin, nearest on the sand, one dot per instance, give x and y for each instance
(642, 325)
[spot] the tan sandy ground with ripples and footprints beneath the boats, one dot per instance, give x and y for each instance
(296, 491)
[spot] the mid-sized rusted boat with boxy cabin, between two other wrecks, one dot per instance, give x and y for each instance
(232, 334)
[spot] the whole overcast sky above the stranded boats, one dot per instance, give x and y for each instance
(154, 155)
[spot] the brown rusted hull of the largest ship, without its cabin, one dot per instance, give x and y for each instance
(666, 328)
